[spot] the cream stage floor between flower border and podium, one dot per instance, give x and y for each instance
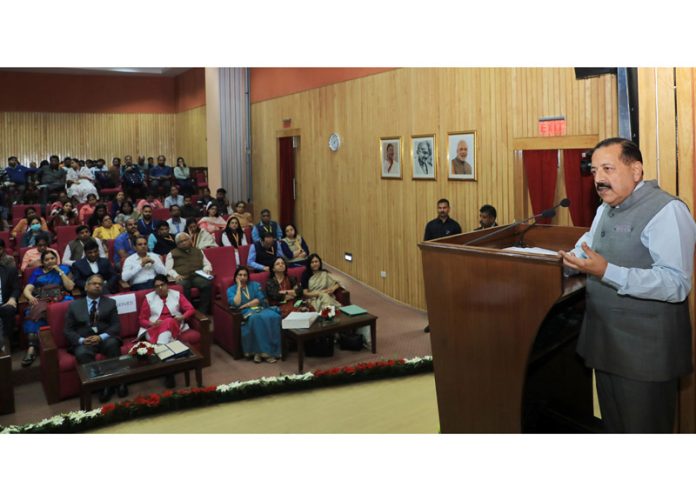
(403, 405)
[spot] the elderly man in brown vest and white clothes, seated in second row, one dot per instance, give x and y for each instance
(182, 264)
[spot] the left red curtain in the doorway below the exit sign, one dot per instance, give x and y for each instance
(541, 168)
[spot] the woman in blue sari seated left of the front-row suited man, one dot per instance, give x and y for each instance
(50, 282)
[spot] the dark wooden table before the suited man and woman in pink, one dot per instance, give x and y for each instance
(126, 369)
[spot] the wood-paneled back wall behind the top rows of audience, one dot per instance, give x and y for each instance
(34, 136)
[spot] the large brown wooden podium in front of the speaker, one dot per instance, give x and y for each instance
(485, 308)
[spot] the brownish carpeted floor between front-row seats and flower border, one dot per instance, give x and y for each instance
(399, 335)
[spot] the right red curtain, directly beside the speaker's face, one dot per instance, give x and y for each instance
(580, 189)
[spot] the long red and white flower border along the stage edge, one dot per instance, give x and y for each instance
(170, 400)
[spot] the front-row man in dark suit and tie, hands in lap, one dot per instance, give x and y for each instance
(92, 326)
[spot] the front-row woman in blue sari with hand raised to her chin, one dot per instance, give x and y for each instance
(261, 330)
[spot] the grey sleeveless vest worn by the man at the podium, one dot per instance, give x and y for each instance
(640, 339)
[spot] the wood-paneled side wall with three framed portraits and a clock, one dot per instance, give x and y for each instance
(344, 206)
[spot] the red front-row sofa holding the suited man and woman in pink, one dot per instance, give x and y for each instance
(58, 366)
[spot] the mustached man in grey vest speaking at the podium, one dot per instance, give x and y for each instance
(638, 257)
